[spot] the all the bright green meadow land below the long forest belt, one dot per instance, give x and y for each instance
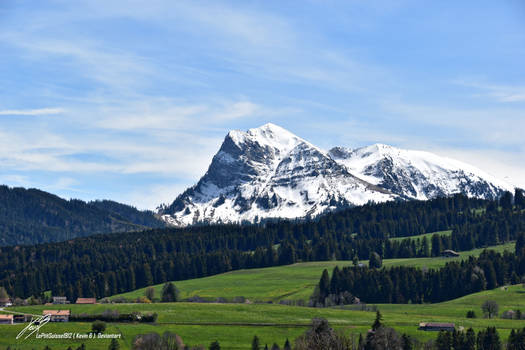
(234, 325)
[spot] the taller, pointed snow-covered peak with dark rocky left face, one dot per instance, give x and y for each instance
(268, 172)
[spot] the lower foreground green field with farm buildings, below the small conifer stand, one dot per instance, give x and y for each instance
(234, 325)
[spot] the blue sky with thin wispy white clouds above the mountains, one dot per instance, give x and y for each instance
(129, 100)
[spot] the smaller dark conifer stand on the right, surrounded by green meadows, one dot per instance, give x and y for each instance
(409, 284)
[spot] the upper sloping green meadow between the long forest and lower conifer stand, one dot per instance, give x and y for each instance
(290, 282)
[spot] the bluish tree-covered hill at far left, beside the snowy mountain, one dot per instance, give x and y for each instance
(31, 216)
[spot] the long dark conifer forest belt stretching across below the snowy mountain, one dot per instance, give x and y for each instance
(104, 265)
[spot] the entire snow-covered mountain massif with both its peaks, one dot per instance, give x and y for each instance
(268, 172)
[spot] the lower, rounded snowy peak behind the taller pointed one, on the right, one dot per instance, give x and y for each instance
(417, 174)
